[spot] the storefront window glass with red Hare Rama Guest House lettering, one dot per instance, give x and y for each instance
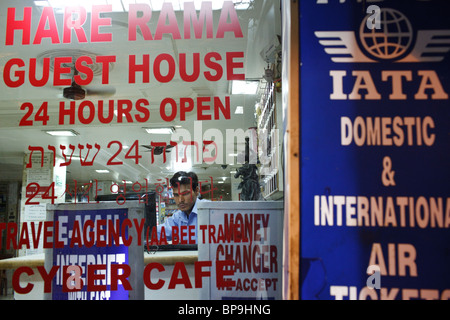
(104, 101)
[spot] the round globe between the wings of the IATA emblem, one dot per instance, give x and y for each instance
(392, 39)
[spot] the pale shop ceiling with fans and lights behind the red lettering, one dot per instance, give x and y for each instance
(260, 23)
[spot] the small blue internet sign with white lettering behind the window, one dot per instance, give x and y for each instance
(93, 256)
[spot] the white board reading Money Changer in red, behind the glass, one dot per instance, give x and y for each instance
(244, 239)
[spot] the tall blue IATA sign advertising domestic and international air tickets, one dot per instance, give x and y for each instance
(375, 149)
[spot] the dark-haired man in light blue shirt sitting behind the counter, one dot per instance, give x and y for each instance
(185, 192)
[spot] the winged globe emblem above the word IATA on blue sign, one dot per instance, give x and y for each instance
(392, 42)
